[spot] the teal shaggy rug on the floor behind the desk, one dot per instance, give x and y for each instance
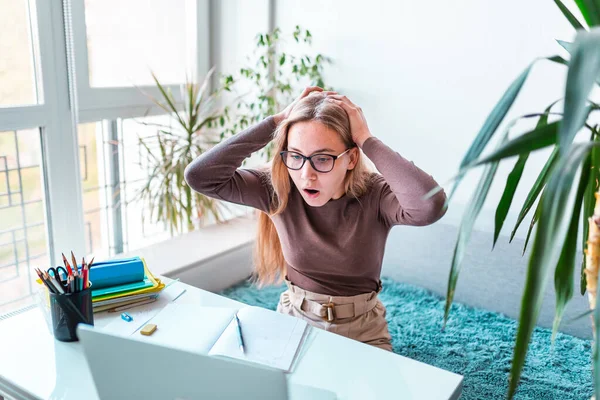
(477, 344)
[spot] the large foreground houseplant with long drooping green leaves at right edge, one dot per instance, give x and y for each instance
(566, 197)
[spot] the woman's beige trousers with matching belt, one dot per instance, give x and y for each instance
(360, 317)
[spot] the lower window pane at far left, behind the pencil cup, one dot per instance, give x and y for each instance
(23, 234)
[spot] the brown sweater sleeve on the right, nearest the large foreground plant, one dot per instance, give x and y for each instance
(402, 188)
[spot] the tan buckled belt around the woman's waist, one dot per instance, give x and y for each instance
(330, 311)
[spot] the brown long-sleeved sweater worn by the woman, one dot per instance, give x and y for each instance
(336, 249)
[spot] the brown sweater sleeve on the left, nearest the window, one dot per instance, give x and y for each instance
(217, 172)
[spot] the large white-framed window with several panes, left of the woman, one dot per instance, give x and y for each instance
(68, 171)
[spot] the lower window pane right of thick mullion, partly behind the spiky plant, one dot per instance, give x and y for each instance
(117, 159)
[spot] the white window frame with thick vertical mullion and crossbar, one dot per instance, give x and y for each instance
(61, 108)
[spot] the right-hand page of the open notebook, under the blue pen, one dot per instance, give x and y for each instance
(270, 338)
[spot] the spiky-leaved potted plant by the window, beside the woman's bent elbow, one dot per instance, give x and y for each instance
(173, 147)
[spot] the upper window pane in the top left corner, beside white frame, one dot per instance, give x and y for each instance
(17, 77)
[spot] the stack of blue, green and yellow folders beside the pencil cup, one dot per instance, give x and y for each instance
(124, 282)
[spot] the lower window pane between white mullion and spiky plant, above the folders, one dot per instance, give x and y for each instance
(113, 170)
